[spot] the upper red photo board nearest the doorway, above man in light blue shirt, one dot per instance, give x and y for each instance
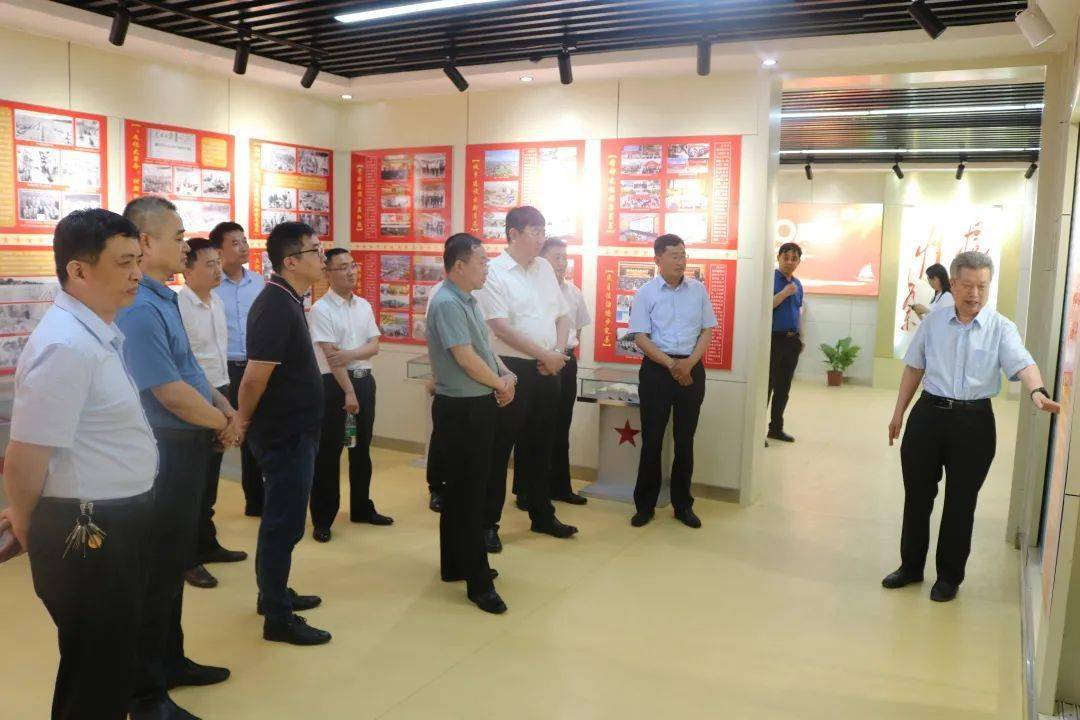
(686, 186)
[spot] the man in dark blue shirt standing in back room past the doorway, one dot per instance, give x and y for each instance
(787, 336)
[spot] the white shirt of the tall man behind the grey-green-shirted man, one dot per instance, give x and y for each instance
(529, 298)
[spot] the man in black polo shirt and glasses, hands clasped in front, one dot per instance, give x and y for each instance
(281, 407)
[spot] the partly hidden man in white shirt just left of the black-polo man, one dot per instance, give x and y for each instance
(204, 318)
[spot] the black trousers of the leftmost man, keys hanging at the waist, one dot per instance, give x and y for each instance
(96, 601)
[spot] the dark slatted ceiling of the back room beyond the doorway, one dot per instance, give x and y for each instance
(1014, 131)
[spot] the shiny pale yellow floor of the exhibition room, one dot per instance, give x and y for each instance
(773, 612)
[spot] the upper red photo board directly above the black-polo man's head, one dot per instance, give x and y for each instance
(291, 183)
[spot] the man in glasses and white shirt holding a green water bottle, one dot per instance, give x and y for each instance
(346, 338)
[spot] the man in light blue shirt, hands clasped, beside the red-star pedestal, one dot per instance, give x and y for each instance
(672, 322)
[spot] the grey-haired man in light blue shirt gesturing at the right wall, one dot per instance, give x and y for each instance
(958, 355)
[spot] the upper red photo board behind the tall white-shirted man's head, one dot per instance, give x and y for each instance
(546, 175)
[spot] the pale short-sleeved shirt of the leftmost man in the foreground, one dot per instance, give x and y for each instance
(73, 393)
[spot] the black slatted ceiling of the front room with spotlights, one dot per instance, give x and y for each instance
(524, 30)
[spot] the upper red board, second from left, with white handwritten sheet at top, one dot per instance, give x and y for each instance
(192, 168)
